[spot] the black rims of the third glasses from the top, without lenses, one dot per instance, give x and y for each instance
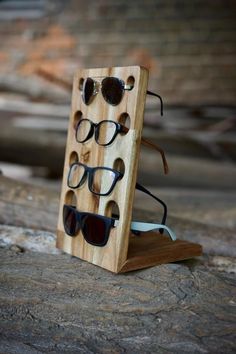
(89, 172)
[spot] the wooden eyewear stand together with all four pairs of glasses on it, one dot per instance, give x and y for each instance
(96, 221)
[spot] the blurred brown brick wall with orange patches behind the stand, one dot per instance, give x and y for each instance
(189, 45)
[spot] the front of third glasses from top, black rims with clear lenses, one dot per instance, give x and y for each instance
(101, 180)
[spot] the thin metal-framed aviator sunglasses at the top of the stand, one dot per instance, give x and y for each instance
(112, 89)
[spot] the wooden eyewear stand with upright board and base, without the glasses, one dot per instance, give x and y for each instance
(124, 251)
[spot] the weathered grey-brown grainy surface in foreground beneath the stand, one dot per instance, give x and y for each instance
(59, 304)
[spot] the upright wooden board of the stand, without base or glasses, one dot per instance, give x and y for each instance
(125, 147)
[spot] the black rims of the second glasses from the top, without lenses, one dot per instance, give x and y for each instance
(94, 129)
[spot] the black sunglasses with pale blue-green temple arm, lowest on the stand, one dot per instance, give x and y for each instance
(96, 228)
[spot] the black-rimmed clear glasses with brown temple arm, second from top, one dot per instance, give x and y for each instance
(105, 133)
